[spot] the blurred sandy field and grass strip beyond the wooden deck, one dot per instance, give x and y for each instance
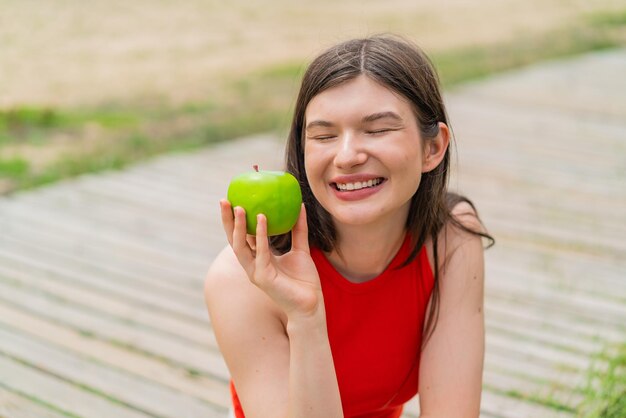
(92, 85)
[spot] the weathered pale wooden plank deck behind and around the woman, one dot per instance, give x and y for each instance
(101, 308)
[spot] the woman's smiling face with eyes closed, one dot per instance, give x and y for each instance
(362, 152)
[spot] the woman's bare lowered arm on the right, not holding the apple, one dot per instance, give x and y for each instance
(452, 360)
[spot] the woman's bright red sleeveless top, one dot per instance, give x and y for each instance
(375, 333)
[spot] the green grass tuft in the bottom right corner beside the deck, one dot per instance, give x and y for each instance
(605, 390)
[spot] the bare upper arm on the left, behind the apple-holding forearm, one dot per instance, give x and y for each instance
(250, 335)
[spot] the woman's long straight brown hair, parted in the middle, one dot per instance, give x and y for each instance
(405, 69)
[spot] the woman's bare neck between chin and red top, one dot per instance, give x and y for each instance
(364, 252)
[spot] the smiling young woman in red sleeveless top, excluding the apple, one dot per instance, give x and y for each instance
(378, 289)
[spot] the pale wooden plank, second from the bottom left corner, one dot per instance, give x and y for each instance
(63, 395)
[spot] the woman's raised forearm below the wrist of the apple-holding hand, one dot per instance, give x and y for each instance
(313, 388)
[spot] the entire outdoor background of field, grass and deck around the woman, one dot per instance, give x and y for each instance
(101, 308)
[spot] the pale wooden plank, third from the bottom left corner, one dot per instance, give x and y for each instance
(109, 382)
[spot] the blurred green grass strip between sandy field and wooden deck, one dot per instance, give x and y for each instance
(43, 145)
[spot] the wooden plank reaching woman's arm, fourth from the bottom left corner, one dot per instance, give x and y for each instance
(164, 373)
